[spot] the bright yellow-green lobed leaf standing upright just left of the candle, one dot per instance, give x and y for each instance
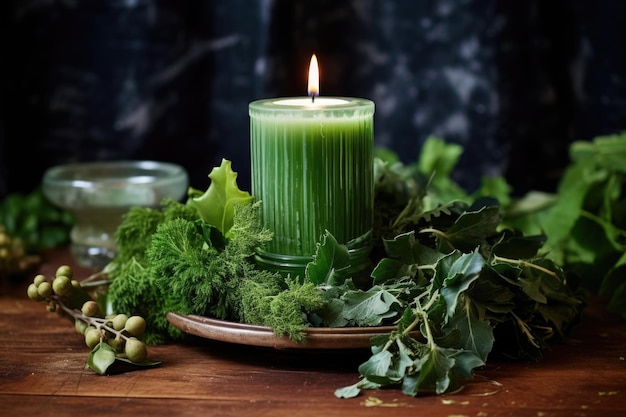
(217, 204)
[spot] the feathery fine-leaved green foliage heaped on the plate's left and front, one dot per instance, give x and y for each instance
(172, 260)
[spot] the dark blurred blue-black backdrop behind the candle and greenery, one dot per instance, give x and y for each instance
(514, 82)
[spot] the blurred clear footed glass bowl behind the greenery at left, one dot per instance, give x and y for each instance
(98, 194)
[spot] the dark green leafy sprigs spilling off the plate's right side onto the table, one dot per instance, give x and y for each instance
(470, 284)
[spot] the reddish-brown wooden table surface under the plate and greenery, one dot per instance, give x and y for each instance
(42, 372)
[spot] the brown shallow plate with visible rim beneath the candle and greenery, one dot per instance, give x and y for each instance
(336, 338)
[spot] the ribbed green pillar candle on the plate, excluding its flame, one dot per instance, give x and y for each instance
(312, 168)
